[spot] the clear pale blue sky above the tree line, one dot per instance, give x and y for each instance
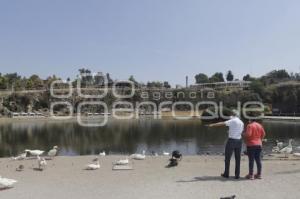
(150, 39)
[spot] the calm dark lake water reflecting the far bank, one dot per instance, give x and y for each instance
(125, 137)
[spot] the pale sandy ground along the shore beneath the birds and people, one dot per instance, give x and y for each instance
(195, 177)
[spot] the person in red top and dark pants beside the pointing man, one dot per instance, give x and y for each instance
(253, 137)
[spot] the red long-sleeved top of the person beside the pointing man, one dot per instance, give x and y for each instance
(254, 134)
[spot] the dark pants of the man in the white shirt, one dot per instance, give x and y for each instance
(233, 145)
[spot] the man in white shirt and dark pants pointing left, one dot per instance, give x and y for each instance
(234, 143)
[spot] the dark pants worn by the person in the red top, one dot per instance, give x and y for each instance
(254, 153)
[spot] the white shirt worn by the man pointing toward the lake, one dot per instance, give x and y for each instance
(236, 127)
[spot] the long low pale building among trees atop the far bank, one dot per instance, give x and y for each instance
(226, 86)
